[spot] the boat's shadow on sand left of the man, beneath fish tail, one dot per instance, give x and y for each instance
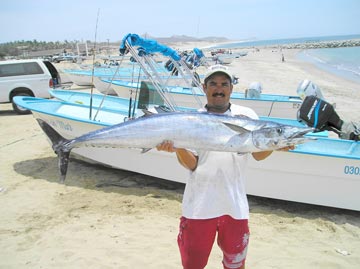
(98, 177)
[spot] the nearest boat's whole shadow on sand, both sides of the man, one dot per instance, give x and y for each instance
(98, 177)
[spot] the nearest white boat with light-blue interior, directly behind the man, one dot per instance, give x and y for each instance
(322, 172)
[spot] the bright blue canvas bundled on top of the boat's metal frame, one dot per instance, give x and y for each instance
(150, 46)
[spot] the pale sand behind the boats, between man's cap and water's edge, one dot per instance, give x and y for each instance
(265, 66)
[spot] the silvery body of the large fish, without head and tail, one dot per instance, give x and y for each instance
(188, 130)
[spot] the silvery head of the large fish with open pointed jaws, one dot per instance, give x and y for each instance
(273, 138)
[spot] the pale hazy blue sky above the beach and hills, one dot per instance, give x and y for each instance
(46, 20)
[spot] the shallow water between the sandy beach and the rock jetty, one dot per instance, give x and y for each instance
(344, 62)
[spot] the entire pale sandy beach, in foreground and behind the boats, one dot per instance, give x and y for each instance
(107, 218)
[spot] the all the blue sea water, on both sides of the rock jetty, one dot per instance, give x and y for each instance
(344, 62)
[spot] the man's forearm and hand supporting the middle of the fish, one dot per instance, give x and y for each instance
(185, 157)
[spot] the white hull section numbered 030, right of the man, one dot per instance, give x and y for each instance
(306, 178)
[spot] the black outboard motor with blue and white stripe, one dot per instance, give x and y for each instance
(321, 115)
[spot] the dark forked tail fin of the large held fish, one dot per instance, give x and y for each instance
(58, 146)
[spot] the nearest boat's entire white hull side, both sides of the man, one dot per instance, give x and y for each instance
(291, 176)
